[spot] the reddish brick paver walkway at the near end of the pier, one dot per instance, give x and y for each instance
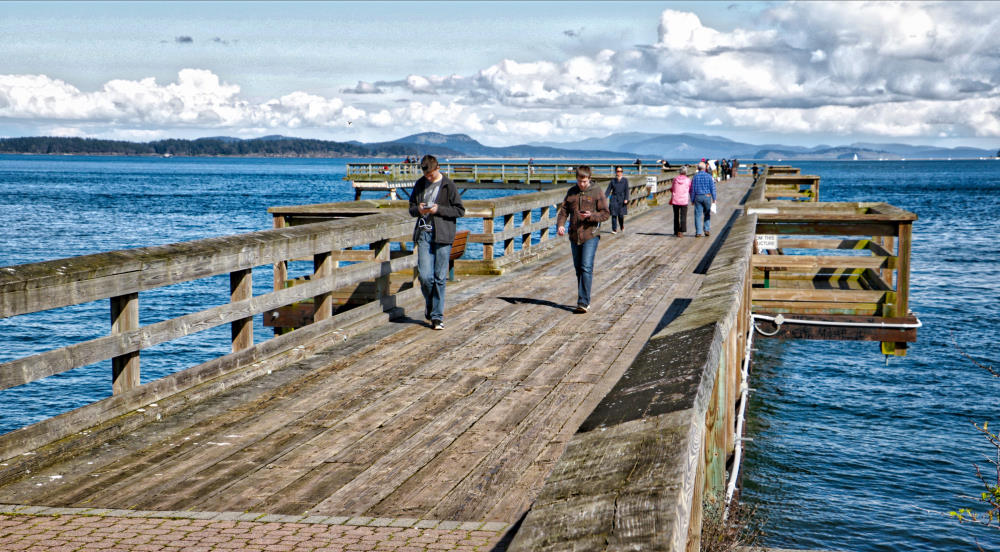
(37, 529)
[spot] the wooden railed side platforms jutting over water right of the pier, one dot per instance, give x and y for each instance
(836, 270)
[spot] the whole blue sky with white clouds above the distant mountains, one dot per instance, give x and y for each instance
(505, 73)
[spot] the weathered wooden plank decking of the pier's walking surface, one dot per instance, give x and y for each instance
(402, 421)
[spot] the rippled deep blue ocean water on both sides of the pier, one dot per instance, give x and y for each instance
(848, 452)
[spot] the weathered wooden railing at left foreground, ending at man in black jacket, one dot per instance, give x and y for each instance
(120, 277)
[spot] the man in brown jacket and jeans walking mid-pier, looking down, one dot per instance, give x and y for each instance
(585, 207)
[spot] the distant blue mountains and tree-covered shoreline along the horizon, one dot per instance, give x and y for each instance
(672, 147)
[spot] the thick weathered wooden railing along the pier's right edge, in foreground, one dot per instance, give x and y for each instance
(636, 474)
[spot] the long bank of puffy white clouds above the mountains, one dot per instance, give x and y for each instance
(879, 68)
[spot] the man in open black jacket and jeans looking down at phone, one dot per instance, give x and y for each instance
(436, 202)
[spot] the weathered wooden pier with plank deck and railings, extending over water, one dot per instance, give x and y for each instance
(601, 431)
